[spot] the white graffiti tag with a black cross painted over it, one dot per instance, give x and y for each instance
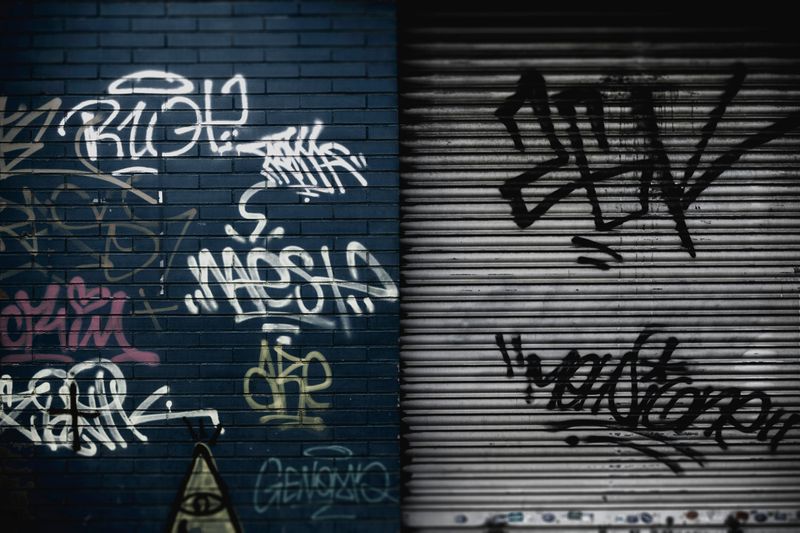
(55, 412)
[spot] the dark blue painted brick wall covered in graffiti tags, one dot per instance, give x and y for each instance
(199, 266)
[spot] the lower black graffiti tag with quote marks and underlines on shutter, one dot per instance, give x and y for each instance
(647, 397)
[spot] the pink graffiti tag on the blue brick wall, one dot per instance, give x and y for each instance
(79, 324)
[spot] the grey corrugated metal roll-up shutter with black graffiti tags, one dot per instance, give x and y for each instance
(599, 270)
